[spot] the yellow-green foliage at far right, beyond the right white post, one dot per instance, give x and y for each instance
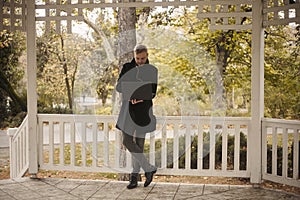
(282, 70)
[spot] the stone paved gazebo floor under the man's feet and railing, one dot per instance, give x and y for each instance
(65, 189)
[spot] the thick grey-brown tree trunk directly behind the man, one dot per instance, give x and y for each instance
(126, 43)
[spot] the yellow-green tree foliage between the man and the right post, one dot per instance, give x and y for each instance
(201, 54)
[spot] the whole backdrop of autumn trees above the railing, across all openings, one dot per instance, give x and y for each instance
(201, 72)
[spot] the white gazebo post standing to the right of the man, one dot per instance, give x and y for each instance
(257, 95)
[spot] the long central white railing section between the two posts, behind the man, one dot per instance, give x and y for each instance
(91, 143)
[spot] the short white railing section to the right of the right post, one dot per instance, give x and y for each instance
(280, 159)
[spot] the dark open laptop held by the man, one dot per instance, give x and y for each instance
(136, 90)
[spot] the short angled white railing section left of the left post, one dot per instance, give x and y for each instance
(18, 142)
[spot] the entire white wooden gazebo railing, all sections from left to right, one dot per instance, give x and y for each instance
(198, 146)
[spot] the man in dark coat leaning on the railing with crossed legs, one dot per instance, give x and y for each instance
(136, 116)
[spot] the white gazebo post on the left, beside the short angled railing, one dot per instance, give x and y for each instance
(31, 87)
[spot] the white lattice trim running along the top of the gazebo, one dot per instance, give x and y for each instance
(223, 15)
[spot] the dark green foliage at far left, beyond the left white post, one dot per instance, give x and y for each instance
(12, 90)
